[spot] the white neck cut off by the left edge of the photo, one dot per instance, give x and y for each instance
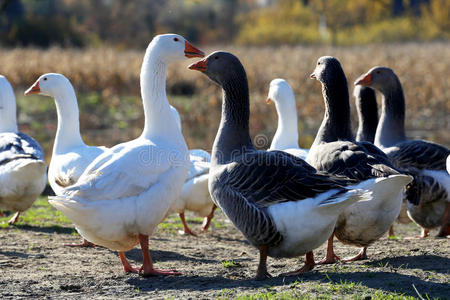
(8, 121)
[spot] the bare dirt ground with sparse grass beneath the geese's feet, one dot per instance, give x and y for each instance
(34, 263)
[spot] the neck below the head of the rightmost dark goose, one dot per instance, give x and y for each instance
(391, 128)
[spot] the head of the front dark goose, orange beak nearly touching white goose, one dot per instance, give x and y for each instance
(221, 67)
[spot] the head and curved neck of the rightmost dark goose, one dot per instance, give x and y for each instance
(391, 127)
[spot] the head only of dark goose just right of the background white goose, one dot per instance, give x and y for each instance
(328, 70)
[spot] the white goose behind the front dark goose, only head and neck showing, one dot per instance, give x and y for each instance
(286, 136)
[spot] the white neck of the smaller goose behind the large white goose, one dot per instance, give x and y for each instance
(68, 131)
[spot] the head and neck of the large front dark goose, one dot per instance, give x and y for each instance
(233, 136)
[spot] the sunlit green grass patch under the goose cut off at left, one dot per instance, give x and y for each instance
(40, 214)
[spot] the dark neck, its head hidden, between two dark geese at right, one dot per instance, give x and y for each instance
(367, 118)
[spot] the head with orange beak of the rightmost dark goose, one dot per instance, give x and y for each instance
(379, 78)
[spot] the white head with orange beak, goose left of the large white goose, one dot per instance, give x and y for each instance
(50, 84)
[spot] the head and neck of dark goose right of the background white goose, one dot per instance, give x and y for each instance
(336, 125)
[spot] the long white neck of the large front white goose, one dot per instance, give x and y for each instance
(159, 119)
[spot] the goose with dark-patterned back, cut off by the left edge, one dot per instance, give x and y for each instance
(22, 165)
